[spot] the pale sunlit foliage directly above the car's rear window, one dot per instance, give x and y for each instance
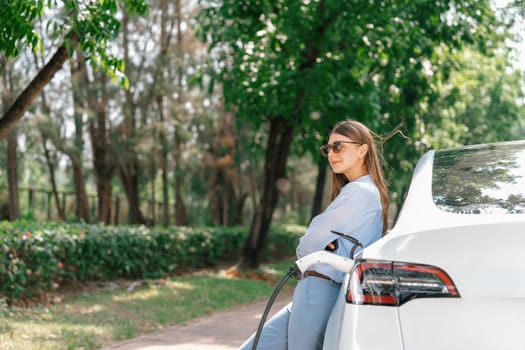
(477, 103)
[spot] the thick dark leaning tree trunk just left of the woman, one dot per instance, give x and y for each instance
(277, 150)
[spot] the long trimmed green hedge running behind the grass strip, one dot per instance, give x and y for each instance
(40, 257)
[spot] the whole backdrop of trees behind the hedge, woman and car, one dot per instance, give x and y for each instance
(211, 113)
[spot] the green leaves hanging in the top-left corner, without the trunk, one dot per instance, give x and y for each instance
(91, 24)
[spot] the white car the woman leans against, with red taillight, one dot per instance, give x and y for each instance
(451, 272)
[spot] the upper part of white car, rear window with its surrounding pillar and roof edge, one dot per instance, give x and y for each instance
(464, 186)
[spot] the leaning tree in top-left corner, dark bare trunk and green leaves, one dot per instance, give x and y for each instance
(90, 25)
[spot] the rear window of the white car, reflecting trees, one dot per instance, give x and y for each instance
(485, 179)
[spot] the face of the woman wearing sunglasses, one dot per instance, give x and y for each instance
(350, 161)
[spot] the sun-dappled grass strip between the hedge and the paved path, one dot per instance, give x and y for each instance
(91, 320)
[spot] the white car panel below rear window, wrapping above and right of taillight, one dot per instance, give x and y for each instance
(488, 269)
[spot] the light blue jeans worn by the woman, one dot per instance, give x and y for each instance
(301, 324)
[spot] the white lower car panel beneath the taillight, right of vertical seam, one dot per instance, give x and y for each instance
(463, 323)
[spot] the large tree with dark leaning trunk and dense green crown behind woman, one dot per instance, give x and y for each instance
(281, 62)
